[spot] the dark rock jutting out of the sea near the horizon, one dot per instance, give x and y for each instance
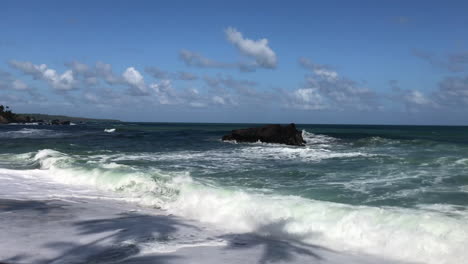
(288, 135)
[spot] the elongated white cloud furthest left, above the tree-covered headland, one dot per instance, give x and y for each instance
(60, 82)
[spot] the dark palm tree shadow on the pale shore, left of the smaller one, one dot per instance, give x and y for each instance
(118, 238)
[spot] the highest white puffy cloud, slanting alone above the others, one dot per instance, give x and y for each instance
(259, 50)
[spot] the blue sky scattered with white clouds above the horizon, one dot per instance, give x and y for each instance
(314, 62)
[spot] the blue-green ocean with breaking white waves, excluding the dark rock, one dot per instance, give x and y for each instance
(400, 192)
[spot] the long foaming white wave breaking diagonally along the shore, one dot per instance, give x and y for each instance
(418, 234)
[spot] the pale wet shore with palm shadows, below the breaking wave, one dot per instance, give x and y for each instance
(38, 226)
